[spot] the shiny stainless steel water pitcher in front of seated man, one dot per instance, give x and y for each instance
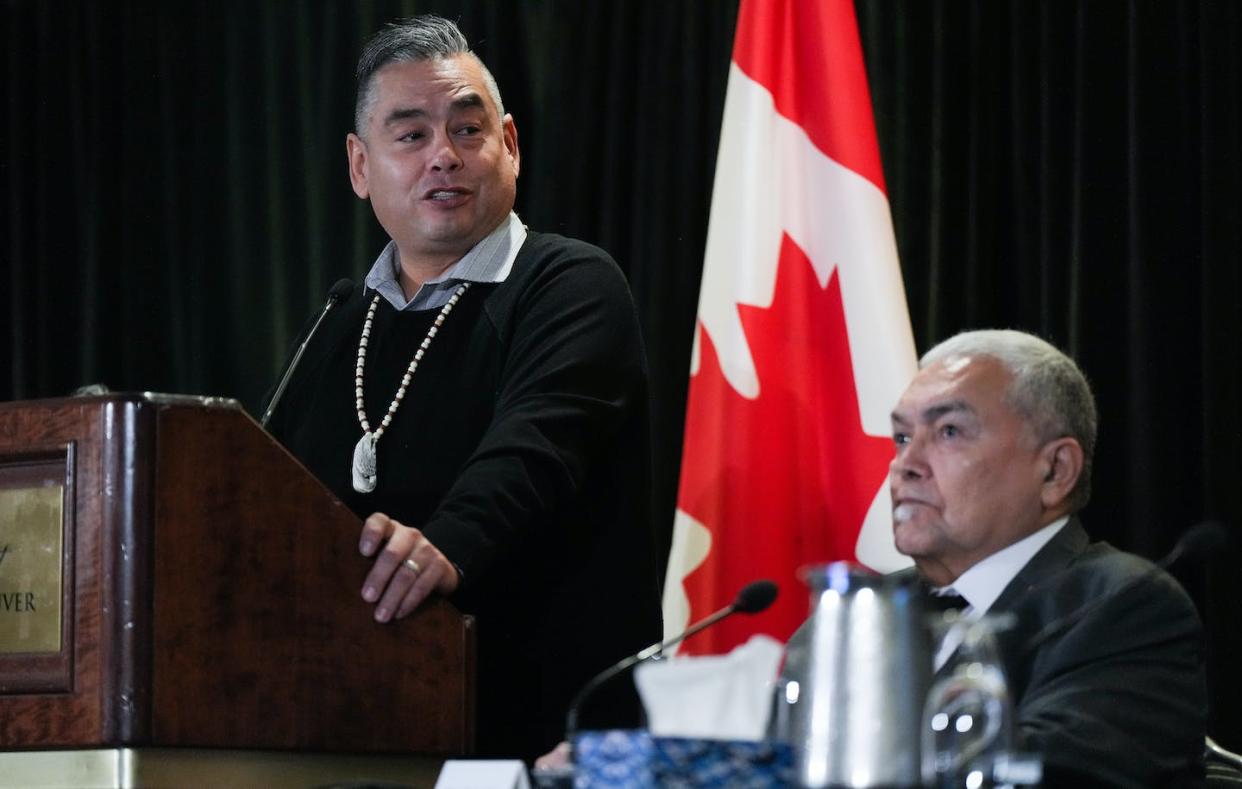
(850, 699)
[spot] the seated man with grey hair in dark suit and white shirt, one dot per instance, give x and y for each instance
(995, 440)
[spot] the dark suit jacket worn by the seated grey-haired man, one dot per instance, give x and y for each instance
(1118, 699)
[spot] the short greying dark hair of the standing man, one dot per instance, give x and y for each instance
(412, 40)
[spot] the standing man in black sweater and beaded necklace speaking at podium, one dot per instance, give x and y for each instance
(483, 402)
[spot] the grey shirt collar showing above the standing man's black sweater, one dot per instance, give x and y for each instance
(489, 262)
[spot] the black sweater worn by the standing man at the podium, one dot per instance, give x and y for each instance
(522, 450)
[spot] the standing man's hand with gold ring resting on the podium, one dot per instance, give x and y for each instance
(407, 571)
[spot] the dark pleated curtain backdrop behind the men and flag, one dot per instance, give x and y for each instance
(176, 203)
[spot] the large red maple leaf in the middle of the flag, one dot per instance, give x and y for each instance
(784, 480)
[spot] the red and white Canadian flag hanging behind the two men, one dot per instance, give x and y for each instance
(803, 344)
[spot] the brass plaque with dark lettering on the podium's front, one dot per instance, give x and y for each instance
(32, 549)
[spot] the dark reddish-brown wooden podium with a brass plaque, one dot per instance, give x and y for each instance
(209, 593)
